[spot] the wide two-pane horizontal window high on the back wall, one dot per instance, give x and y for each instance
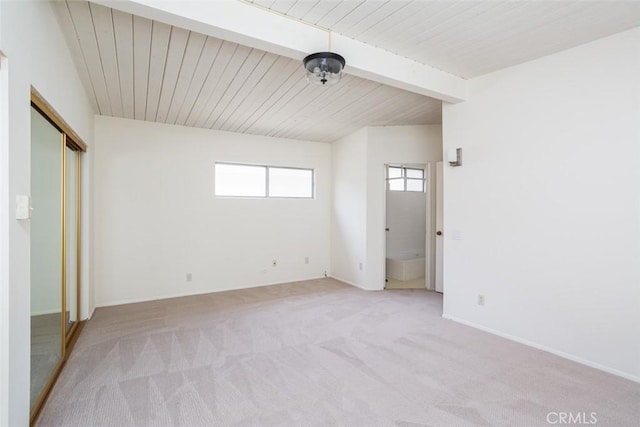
(240, 180)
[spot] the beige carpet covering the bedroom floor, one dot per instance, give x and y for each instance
(317, 353)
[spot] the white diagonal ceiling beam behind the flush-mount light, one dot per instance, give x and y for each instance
(252, 26)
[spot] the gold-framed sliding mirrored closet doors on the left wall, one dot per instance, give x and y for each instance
(56, 154)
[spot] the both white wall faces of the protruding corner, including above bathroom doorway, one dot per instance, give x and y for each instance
(358, 208)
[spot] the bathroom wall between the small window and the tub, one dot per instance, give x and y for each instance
(406, 221)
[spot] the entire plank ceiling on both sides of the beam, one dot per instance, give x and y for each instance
(146, 70)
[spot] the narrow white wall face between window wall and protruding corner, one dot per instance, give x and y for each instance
(349, 208)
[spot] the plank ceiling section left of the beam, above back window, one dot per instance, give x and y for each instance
(140, 69)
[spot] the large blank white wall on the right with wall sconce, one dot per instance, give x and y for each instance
(548, 204)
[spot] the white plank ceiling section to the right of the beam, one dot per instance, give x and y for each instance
(462, 37)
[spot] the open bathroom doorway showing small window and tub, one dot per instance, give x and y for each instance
(407, 194)
